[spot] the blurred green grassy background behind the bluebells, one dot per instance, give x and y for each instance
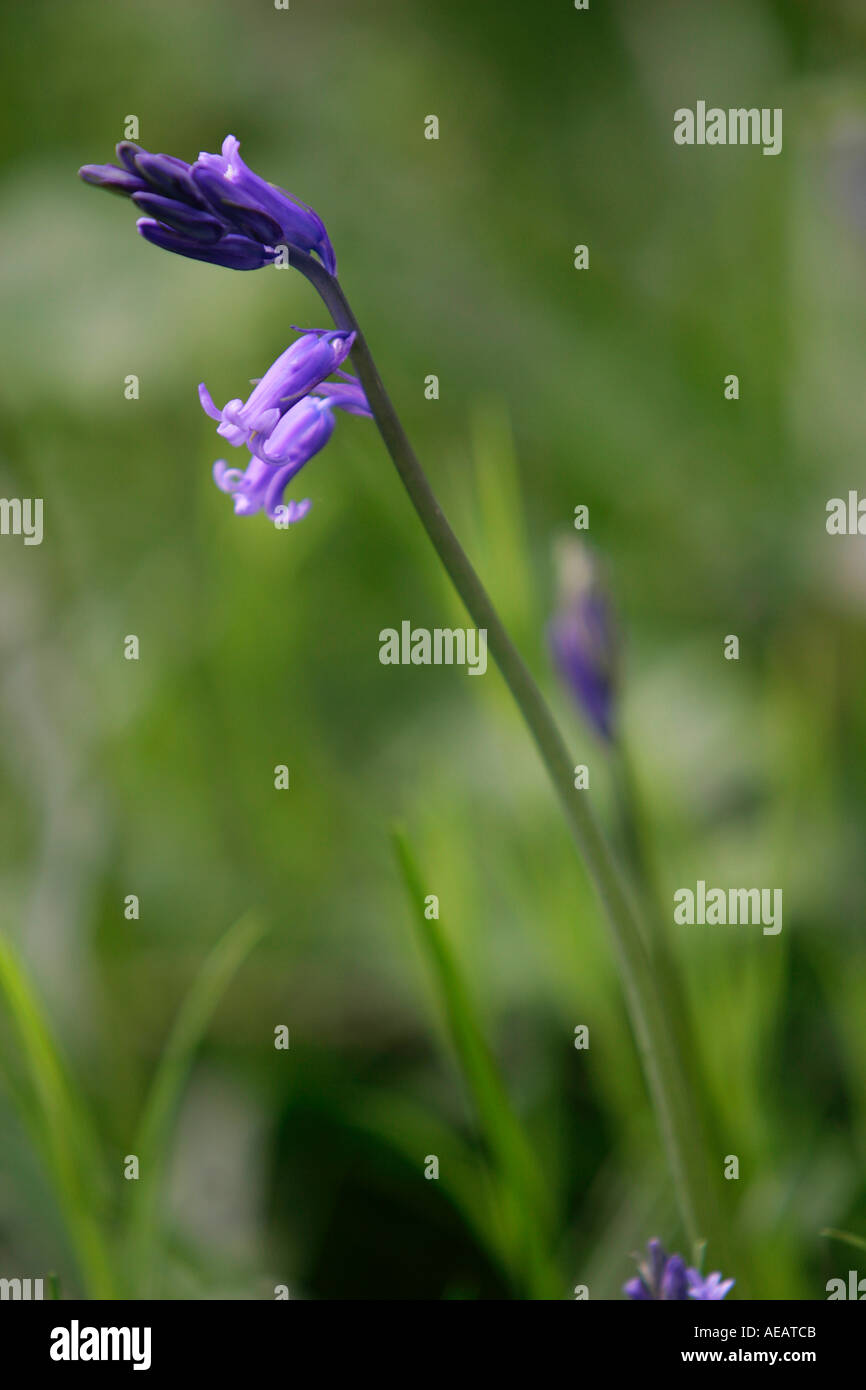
(259, 647)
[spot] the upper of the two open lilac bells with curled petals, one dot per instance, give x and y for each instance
(297, 372)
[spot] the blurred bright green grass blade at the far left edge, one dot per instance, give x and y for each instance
(58, 1118)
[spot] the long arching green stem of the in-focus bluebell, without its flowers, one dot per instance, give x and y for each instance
(665, 1075)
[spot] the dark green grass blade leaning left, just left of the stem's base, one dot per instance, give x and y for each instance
(523, 1200)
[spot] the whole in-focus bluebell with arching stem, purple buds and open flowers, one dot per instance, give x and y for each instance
(219, 211)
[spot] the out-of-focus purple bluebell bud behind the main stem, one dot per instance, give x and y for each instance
(583, 639)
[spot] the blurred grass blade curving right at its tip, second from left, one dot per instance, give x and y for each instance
(163, 1099)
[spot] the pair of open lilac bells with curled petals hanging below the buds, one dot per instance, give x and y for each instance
(287, 419)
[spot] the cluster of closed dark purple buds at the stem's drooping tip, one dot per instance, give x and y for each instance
(215, 211)
